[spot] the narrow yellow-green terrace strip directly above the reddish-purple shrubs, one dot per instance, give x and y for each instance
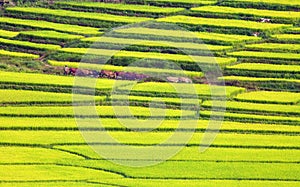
(150, 71)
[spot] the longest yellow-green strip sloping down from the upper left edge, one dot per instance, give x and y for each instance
(50, 25)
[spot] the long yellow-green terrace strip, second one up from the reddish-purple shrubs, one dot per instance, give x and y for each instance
(152, 55)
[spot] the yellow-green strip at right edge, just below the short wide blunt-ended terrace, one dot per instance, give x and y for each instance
(255, 107)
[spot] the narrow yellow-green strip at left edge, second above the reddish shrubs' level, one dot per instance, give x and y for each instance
(30, 44)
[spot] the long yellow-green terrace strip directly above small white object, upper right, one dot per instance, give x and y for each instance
(249, 11)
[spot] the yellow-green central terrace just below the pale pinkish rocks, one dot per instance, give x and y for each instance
(184, 89)
